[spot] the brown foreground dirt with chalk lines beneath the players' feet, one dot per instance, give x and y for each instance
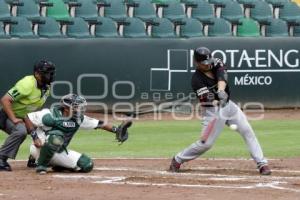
(137, 179)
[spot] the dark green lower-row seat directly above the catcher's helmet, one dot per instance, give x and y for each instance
(78, 29)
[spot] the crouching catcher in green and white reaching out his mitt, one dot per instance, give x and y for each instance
(52, 131)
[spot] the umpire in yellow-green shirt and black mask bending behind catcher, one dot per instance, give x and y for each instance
(27, 95)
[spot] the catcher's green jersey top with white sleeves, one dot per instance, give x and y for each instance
(53, 120)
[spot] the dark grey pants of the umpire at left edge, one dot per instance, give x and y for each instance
(17, 134)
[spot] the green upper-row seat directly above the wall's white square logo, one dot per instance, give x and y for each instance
(173, 11)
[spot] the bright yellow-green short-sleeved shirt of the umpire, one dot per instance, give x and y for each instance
(27, 97)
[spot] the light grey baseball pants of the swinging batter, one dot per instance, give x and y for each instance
(214, 120)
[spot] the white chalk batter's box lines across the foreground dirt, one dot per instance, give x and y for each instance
(121, 180)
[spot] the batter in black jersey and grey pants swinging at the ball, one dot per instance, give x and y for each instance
(209, 82)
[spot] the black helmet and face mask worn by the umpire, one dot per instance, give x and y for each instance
(47, 71)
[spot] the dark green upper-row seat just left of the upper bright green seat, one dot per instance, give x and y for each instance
(29, 10)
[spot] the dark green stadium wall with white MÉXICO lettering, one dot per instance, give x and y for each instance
(156, 70)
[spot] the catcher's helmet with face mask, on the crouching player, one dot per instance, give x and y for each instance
(77, 104)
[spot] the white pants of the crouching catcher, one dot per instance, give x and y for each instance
(65, 159)
